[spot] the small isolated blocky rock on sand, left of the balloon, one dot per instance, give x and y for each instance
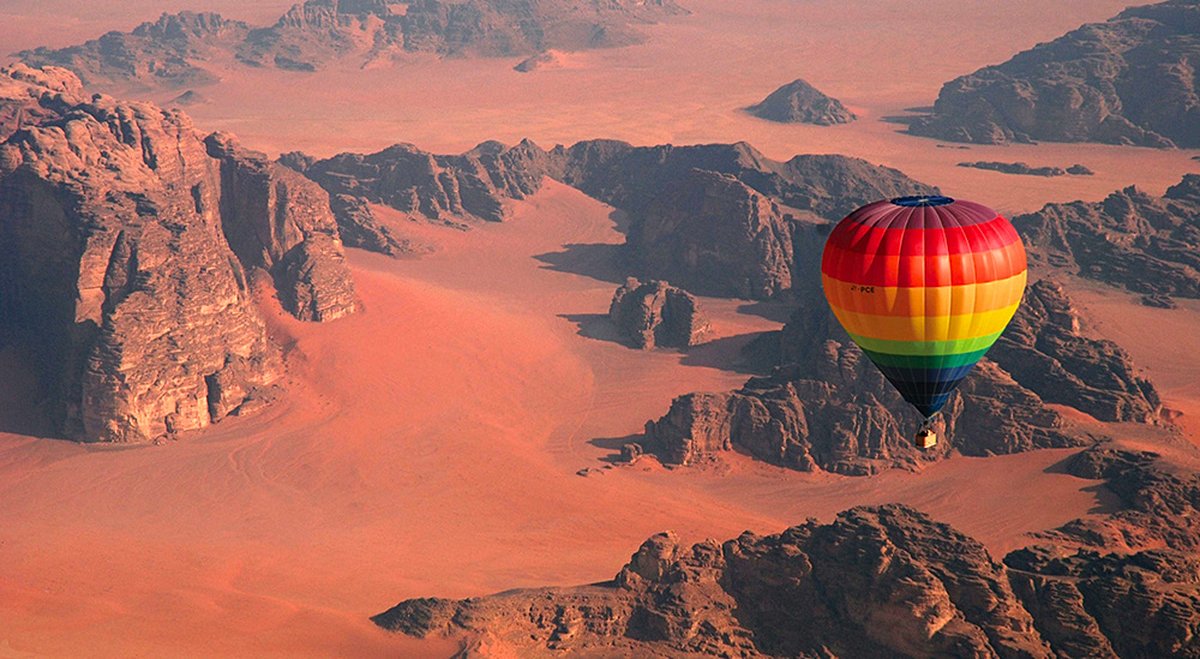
(657, 315)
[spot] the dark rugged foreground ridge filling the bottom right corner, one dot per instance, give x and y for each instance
(878, 582)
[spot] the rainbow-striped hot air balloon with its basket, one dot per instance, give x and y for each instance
(925, 286)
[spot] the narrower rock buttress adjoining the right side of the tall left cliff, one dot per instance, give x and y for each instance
(278, 220)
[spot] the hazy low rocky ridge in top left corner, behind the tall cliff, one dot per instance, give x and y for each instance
(167, 53)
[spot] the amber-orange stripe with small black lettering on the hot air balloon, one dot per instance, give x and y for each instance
(916, 301)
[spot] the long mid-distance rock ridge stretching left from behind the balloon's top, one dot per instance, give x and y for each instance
(713, 219)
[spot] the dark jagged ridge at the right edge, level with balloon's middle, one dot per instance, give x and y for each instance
(1131, 239)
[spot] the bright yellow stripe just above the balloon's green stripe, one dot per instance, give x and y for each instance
(926, 328)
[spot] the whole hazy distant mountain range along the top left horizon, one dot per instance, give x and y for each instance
(173, 51)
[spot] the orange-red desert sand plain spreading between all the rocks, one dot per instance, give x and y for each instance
(430, 445)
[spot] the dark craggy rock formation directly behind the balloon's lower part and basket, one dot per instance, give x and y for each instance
(827, 408)
